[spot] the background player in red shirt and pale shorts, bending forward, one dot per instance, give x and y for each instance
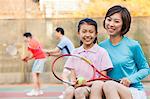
(35, 51)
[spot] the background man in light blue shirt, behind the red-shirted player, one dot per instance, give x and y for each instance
(65, 46)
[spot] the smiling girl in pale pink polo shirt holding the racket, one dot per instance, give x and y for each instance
(87, 33)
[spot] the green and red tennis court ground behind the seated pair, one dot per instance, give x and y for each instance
(51, 91)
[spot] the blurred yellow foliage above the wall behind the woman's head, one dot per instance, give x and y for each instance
(98, 8)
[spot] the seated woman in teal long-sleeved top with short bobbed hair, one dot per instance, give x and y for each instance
(130, 65)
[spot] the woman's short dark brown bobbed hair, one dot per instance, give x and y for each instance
(125, 14)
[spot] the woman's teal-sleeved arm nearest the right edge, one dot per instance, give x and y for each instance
(141, 64)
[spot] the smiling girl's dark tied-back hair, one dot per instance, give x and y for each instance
(88, 21)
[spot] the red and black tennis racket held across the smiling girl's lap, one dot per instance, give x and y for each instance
(83, 61)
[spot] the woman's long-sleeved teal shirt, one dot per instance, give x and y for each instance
(128, 60)
